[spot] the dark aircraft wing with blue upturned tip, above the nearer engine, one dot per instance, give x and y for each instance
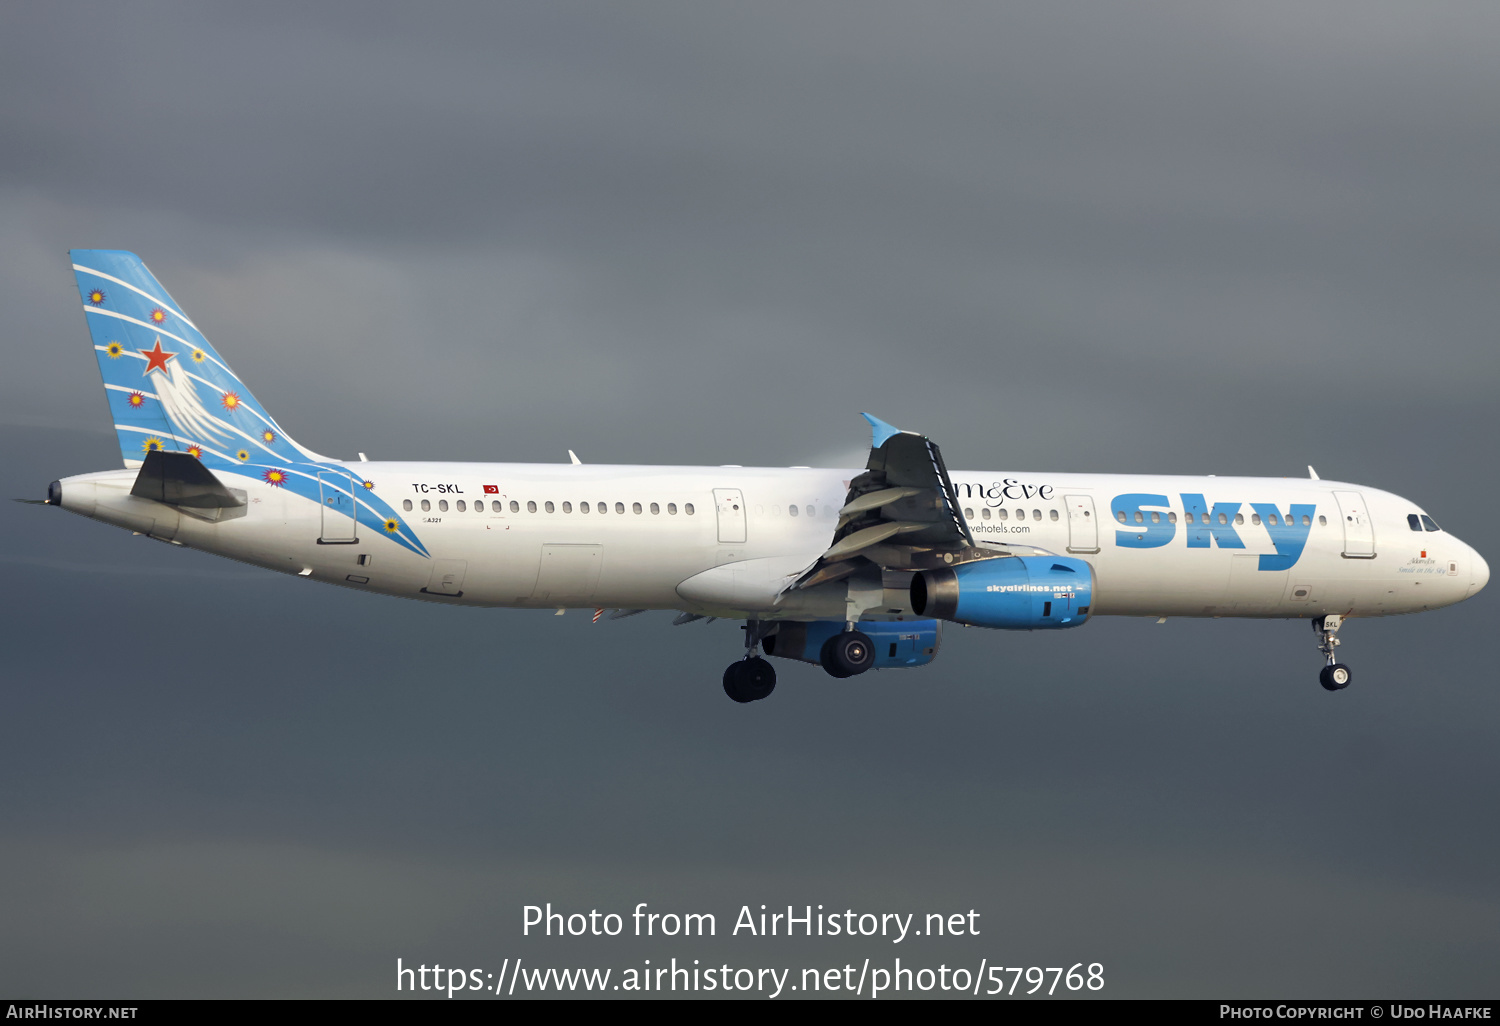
(902, 514)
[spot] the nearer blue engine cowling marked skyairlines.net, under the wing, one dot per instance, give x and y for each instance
(1012, 593)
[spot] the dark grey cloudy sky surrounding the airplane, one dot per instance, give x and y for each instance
(1148, 238)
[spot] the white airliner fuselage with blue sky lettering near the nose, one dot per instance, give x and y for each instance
(527, 542)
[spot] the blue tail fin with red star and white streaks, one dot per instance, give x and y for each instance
(169, 389)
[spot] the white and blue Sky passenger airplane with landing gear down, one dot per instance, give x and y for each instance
(853, 569)
